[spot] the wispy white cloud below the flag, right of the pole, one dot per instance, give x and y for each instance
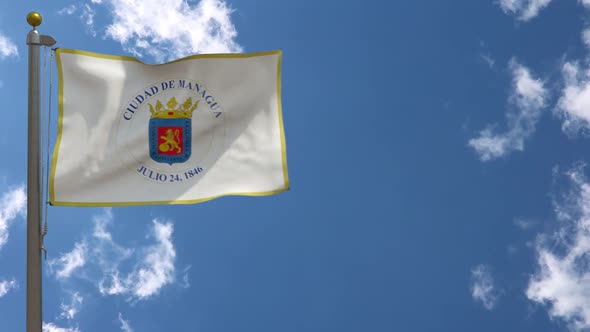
(153, 269)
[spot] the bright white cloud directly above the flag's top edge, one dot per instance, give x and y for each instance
(168, 29)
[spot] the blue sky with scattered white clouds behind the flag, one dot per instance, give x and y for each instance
(437, 154)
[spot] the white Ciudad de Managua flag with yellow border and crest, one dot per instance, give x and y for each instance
(183, 132)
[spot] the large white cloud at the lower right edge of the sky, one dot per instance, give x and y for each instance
(562, 281)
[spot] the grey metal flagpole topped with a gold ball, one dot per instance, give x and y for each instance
(34, 307)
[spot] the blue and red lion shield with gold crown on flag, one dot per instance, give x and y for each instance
(170, 131)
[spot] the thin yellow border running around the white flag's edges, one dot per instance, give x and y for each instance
(128, 58)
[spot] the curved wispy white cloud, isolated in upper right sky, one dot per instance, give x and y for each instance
(527, 100)
